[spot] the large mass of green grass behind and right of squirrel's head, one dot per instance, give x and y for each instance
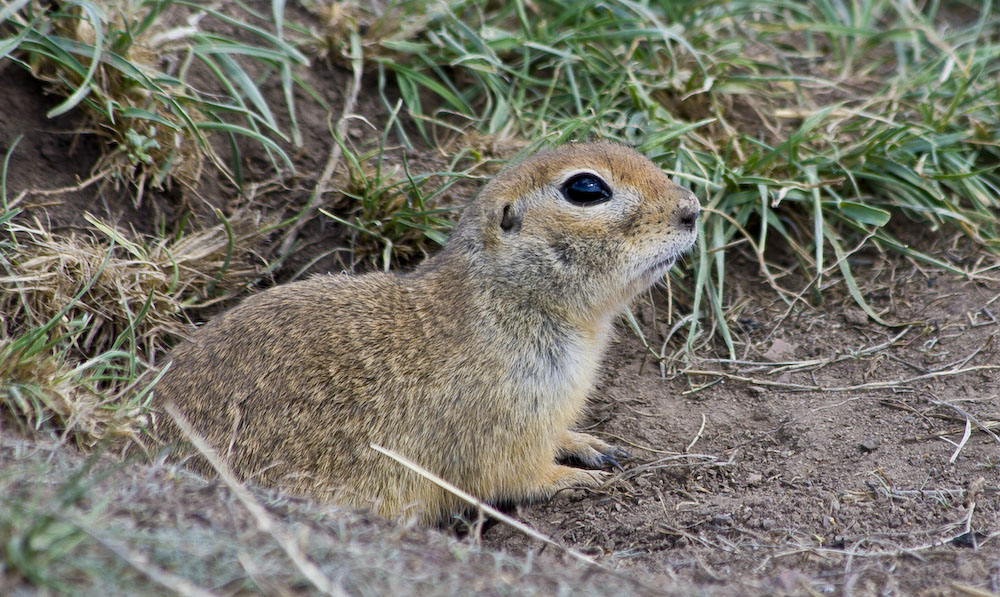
(803, 128)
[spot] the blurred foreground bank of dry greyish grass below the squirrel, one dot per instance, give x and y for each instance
(97, 527)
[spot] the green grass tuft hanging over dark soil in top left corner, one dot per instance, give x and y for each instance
(157, 81)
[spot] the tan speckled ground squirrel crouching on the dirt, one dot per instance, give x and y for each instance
(475, 365)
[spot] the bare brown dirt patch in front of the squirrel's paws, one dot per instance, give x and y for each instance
(835, 475)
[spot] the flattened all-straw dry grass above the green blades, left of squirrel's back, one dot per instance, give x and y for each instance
(135, 287)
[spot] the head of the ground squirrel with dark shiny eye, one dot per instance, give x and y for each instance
(583, 227)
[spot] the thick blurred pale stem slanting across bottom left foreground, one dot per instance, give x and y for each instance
(264, 521)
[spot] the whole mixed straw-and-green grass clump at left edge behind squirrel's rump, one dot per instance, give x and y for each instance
(83, 316)
